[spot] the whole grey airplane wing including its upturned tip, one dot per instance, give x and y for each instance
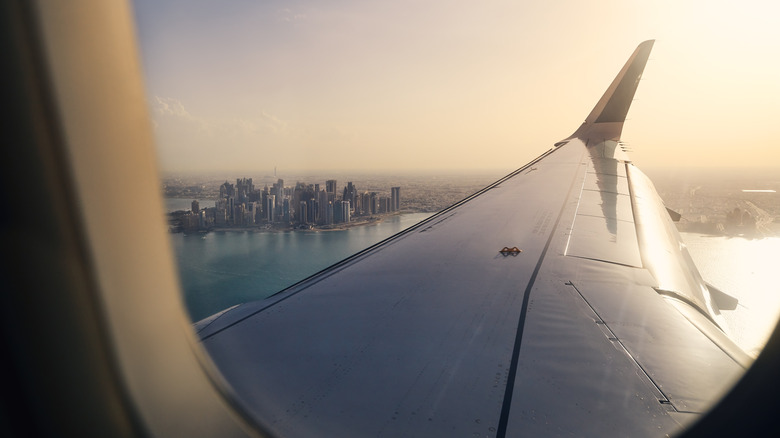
(558, 300)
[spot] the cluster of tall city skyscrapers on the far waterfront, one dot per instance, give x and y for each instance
(241, 204)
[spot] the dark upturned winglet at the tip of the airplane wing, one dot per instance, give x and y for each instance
(605, 121)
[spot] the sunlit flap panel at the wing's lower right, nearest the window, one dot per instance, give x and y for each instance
(654, 336)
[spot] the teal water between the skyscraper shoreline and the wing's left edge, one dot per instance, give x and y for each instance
(220, 269)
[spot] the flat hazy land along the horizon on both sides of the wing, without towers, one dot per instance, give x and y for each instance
(711, 201)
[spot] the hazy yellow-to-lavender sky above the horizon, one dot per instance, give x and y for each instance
(357, 85)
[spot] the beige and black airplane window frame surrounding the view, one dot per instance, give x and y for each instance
(82, 148)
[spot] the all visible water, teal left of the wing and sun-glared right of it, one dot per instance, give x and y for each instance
(221, 269)
